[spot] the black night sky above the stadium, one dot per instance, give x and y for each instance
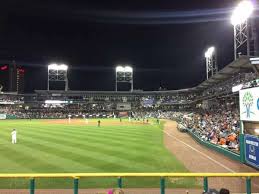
(164, 41)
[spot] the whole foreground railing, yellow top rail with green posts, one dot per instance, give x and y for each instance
(120, 176)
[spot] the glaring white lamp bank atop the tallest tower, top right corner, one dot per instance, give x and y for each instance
(242, 12)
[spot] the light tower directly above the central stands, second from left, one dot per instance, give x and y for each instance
(124, 74)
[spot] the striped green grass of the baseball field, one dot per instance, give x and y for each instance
(44, 147)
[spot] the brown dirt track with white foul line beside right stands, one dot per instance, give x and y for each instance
(198, 158)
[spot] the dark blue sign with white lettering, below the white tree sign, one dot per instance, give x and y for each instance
(252, 150)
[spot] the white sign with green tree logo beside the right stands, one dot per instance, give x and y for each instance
(249, 104)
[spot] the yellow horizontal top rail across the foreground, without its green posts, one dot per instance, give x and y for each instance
(84, 175)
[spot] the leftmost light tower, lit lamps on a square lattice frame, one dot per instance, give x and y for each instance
(58, 72)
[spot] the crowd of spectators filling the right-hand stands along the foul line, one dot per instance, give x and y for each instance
(219, 124)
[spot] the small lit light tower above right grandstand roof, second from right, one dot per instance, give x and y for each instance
(211, 62)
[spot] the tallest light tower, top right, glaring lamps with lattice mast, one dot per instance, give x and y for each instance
(242, 29)
